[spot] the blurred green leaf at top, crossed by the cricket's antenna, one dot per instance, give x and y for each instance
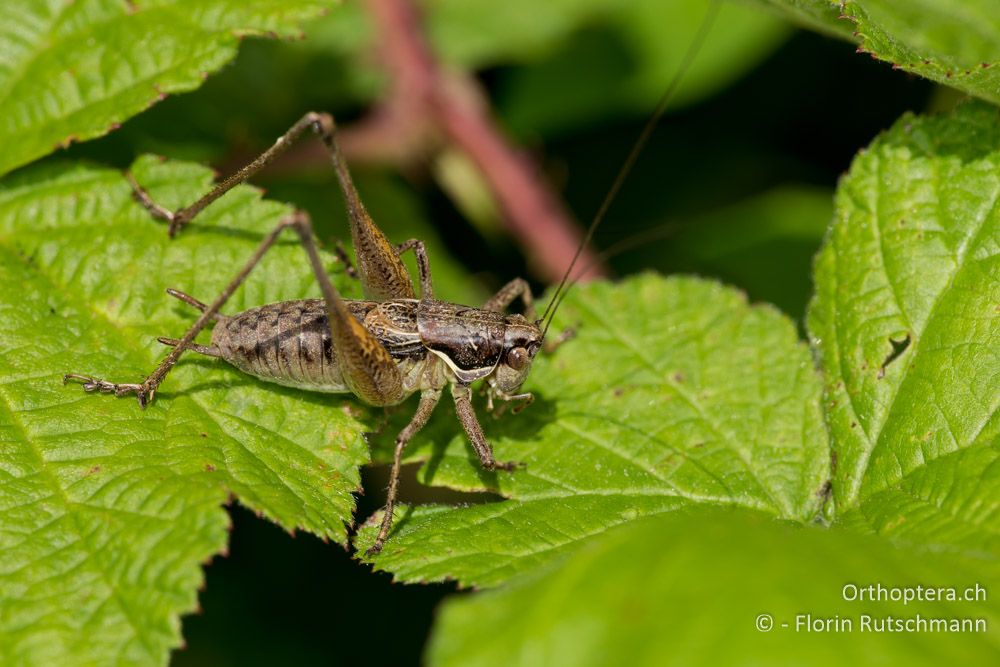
(621, 56)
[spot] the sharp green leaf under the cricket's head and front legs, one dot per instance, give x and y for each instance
(674, 393)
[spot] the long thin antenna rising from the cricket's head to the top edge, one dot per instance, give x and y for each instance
(626, 168)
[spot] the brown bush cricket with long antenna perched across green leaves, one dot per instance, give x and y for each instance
(388, 346)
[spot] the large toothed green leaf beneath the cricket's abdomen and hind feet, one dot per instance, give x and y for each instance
(107, 511)
